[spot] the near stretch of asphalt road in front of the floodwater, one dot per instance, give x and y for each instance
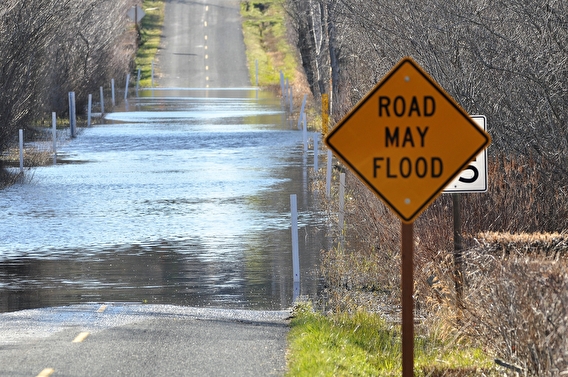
(142, 340)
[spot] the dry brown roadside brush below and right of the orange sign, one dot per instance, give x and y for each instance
(516, 292)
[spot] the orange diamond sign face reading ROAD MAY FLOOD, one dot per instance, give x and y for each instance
(407, 139)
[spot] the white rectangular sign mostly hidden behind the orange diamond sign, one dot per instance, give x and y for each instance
(474, 177)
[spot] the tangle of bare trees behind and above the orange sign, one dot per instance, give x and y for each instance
(506, 60)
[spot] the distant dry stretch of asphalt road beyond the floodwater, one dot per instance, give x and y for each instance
(202, 46)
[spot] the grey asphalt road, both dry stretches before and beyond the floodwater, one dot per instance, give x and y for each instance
(202, 47)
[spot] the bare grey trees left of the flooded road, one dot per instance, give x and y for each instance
(50, 47)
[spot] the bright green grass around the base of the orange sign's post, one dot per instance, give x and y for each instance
(363, 344)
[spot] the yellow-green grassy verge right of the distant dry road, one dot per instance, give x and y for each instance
(264, 31)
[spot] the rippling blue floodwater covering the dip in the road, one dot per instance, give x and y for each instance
(181, 198)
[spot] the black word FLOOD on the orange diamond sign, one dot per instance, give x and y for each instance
(406, 167)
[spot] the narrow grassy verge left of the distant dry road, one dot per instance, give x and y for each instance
(150, 35)
